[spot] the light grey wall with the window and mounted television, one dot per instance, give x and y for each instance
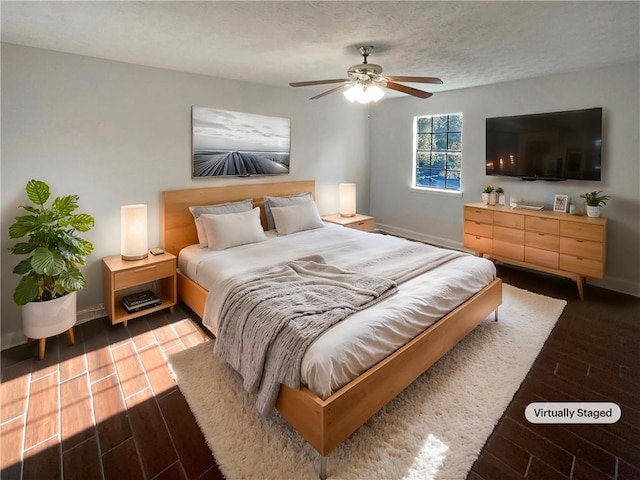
(438, 218)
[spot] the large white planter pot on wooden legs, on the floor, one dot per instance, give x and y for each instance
(47, 319)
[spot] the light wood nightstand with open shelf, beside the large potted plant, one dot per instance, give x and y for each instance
(122, 277)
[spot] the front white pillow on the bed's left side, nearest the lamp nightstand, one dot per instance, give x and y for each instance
(233, 229)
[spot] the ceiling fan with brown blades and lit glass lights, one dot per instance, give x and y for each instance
(364, 80)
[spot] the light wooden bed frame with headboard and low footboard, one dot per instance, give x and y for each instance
(327, 423)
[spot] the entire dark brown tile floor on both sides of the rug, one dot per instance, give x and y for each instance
(108, 408)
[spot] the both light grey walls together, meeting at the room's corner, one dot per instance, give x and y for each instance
(116, 133)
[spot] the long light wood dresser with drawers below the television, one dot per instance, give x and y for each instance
(559, 243)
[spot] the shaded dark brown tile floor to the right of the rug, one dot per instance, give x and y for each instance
(593, 354)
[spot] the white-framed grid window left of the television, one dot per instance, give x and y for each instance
(438, 147)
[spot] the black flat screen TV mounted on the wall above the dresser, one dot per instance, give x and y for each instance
(546, 146)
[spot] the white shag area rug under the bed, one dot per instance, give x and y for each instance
(435, 429)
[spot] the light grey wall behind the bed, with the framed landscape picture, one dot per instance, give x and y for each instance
(115, 133)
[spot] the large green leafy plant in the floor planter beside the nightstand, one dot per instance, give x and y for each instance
(53, 248)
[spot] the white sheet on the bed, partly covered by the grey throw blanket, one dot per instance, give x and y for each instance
(359, 342)
